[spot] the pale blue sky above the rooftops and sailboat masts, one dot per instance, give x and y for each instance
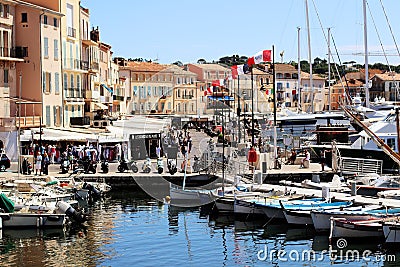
(187, 30)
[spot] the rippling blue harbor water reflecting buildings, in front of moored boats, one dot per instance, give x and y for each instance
(131, 229)
